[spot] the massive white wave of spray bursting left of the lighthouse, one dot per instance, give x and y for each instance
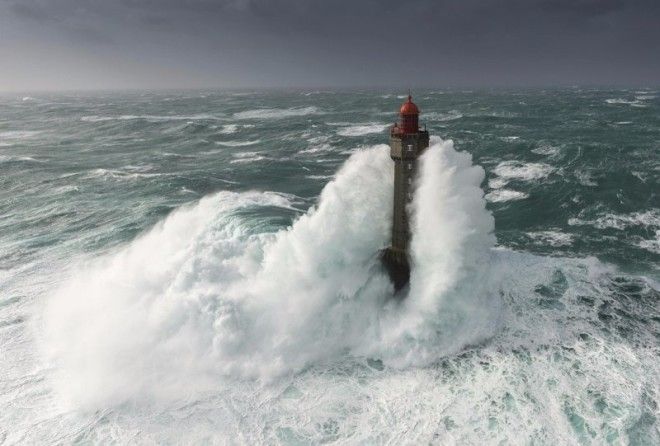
(218, 299)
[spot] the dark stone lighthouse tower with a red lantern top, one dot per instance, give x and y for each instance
(407, 143)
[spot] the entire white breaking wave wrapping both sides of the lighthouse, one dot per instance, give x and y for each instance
(203, 288)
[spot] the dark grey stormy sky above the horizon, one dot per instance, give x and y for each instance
(107, 44)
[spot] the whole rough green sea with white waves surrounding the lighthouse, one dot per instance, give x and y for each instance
(201, 267)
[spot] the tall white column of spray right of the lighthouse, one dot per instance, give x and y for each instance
(451, 302)
